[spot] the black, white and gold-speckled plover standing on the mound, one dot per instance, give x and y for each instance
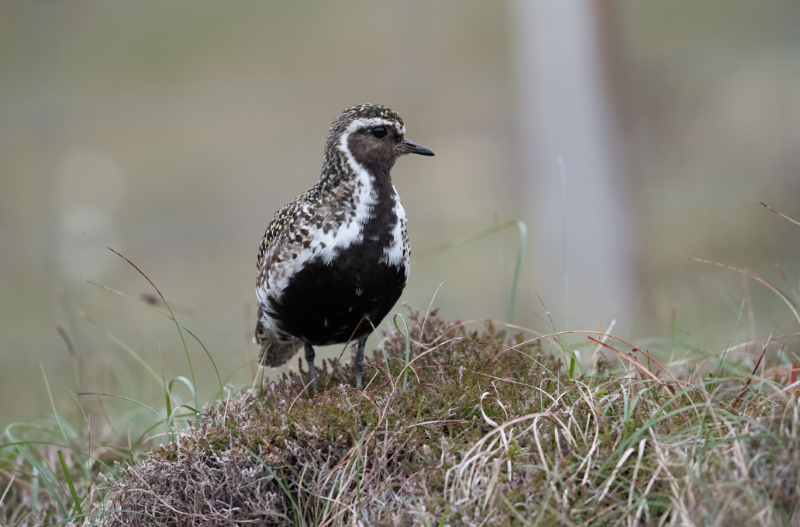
(334, 261)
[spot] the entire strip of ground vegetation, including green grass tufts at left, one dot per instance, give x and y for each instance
(458, 424)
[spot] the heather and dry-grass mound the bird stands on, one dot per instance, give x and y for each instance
(484, 434)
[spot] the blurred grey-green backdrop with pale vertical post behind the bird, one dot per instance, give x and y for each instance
(623, 133)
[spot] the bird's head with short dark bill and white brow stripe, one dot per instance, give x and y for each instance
(373, 136)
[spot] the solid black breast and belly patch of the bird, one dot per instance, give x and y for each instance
(324, 303)
